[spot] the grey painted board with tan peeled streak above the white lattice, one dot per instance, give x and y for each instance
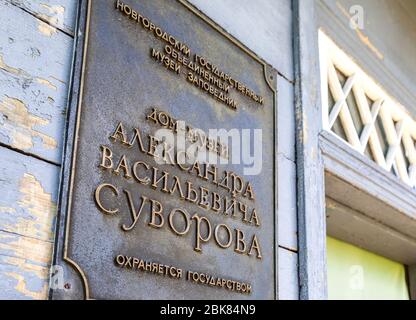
(385, 48)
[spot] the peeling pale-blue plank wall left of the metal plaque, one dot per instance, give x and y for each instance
(36, 38)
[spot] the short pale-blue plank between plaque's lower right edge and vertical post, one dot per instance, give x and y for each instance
(288, 277)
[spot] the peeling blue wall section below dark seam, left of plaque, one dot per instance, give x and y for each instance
(27, 217)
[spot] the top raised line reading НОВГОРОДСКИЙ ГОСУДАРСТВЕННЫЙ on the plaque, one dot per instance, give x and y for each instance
(214, 74)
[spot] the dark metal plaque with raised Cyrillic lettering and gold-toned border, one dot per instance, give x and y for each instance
(169, 179)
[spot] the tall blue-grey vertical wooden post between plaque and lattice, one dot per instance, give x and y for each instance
(310, 172)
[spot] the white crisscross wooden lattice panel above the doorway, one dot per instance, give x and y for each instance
(358, 111)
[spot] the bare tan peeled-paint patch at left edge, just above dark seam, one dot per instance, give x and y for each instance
(20, 123)
